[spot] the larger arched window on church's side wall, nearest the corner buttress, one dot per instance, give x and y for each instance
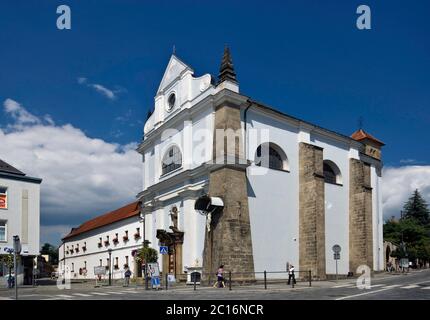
(270, 155)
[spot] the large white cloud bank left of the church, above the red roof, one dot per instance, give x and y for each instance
(82, 176)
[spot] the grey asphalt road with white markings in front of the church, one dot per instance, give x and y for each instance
(411, 286)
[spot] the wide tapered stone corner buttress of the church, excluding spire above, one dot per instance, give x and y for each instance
(229, 240)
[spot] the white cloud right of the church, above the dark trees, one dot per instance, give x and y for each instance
(398, 185)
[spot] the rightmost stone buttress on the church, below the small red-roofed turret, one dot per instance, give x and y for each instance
(360, 216)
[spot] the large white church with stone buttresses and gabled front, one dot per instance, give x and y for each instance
(287, 190)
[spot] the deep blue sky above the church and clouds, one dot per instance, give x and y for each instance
(305, 58)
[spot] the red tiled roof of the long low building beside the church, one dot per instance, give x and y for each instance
(130, 210)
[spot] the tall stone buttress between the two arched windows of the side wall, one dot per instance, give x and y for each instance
(311, 211)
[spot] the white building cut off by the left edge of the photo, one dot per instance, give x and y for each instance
(19, 215)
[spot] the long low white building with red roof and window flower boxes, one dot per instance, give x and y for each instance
(88, 246)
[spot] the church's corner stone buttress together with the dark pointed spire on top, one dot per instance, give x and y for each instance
(228, 240)
